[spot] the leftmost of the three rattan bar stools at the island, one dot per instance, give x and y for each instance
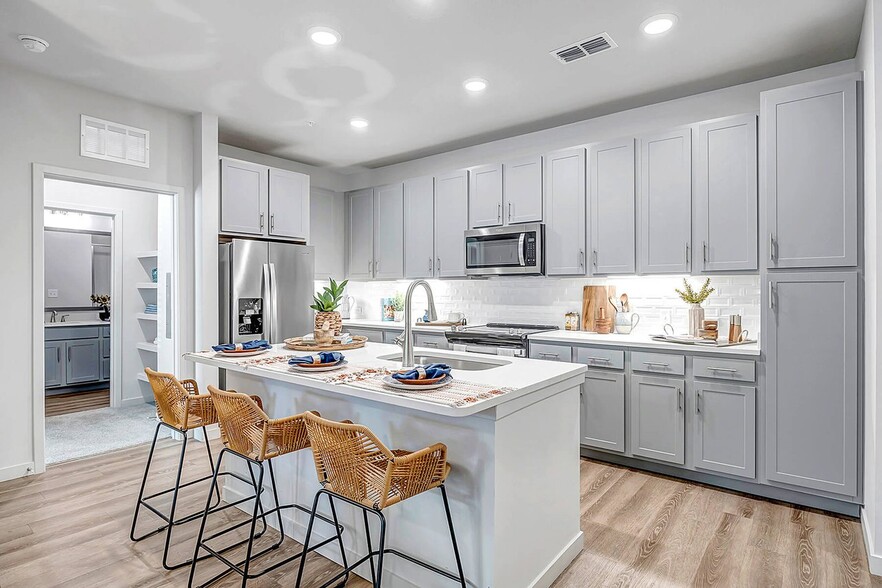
(181, 409)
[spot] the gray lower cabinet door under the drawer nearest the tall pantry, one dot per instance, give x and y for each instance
(725, 429)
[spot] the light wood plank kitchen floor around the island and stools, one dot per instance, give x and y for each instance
(69, 527)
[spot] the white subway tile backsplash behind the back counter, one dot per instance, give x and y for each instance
(545, 300)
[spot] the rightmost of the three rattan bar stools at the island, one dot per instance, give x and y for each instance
(355, 467)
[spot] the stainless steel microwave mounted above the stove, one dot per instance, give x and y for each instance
(512, 250)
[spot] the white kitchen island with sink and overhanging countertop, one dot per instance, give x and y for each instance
(513, 447)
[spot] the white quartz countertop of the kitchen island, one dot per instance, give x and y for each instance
(524, 376)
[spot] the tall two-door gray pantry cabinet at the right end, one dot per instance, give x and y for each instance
(811, 287)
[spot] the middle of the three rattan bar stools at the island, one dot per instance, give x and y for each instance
(250, 435)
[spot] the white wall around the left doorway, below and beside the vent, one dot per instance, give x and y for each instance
(40, 122)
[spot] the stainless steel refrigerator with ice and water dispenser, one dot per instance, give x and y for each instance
(265, 290)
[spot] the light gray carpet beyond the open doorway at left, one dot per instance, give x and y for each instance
(81, 434)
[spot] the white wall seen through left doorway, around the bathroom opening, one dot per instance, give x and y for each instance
(138, 227)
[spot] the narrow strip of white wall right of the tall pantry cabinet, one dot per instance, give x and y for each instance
(869, 60)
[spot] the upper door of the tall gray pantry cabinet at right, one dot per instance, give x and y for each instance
(810, 174)
